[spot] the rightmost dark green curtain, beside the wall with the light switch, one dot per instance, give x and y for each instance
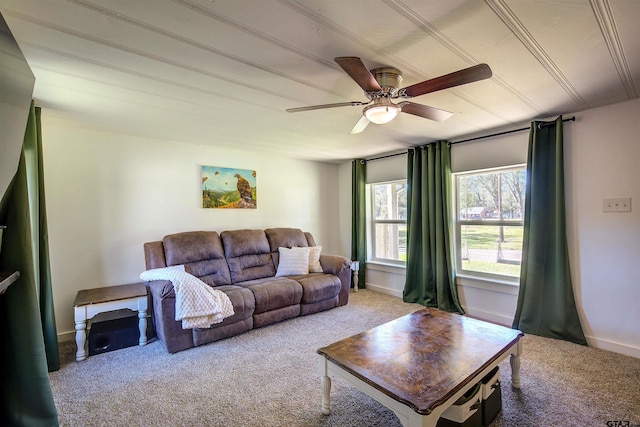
(546, 304)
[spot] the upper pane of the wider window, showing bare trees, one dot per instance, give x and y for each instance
(493, 196)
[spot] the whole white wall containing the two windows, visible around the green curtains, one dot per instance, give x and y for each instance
(602, 160)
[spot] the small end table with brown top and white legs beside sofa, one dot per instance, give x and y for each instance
(90, 302)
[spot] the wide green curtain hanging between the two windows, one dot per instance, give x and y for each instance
(430, 274)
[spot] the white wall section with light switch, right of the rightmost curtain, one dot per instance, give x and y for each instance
(603, 161)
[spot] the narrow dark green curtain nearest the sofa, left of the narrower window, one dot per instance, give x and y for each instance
(359, 217)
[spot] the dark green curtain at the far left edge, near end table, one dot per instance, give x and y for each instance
(28, 333)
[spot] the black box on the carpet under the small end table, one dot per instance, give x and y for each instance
(113, 334)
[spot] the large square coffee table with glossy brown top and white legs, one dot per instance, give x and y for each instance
(420, 364)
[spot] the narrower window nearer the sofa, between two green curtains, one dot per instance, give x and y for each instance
(389, 221)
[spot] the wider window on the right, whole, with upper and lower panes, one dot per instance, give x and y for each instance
(489, 224)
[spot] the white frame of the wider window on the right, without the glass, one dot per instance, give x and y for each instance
(458, 223)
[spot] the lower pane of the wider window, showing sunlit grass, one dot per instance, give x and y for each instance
(491, 249)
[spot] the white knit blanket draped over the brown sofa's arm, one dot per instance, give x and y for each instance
(198, 305)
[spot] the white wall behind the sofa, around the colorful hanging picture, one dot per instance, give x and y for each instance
(108, 193)
